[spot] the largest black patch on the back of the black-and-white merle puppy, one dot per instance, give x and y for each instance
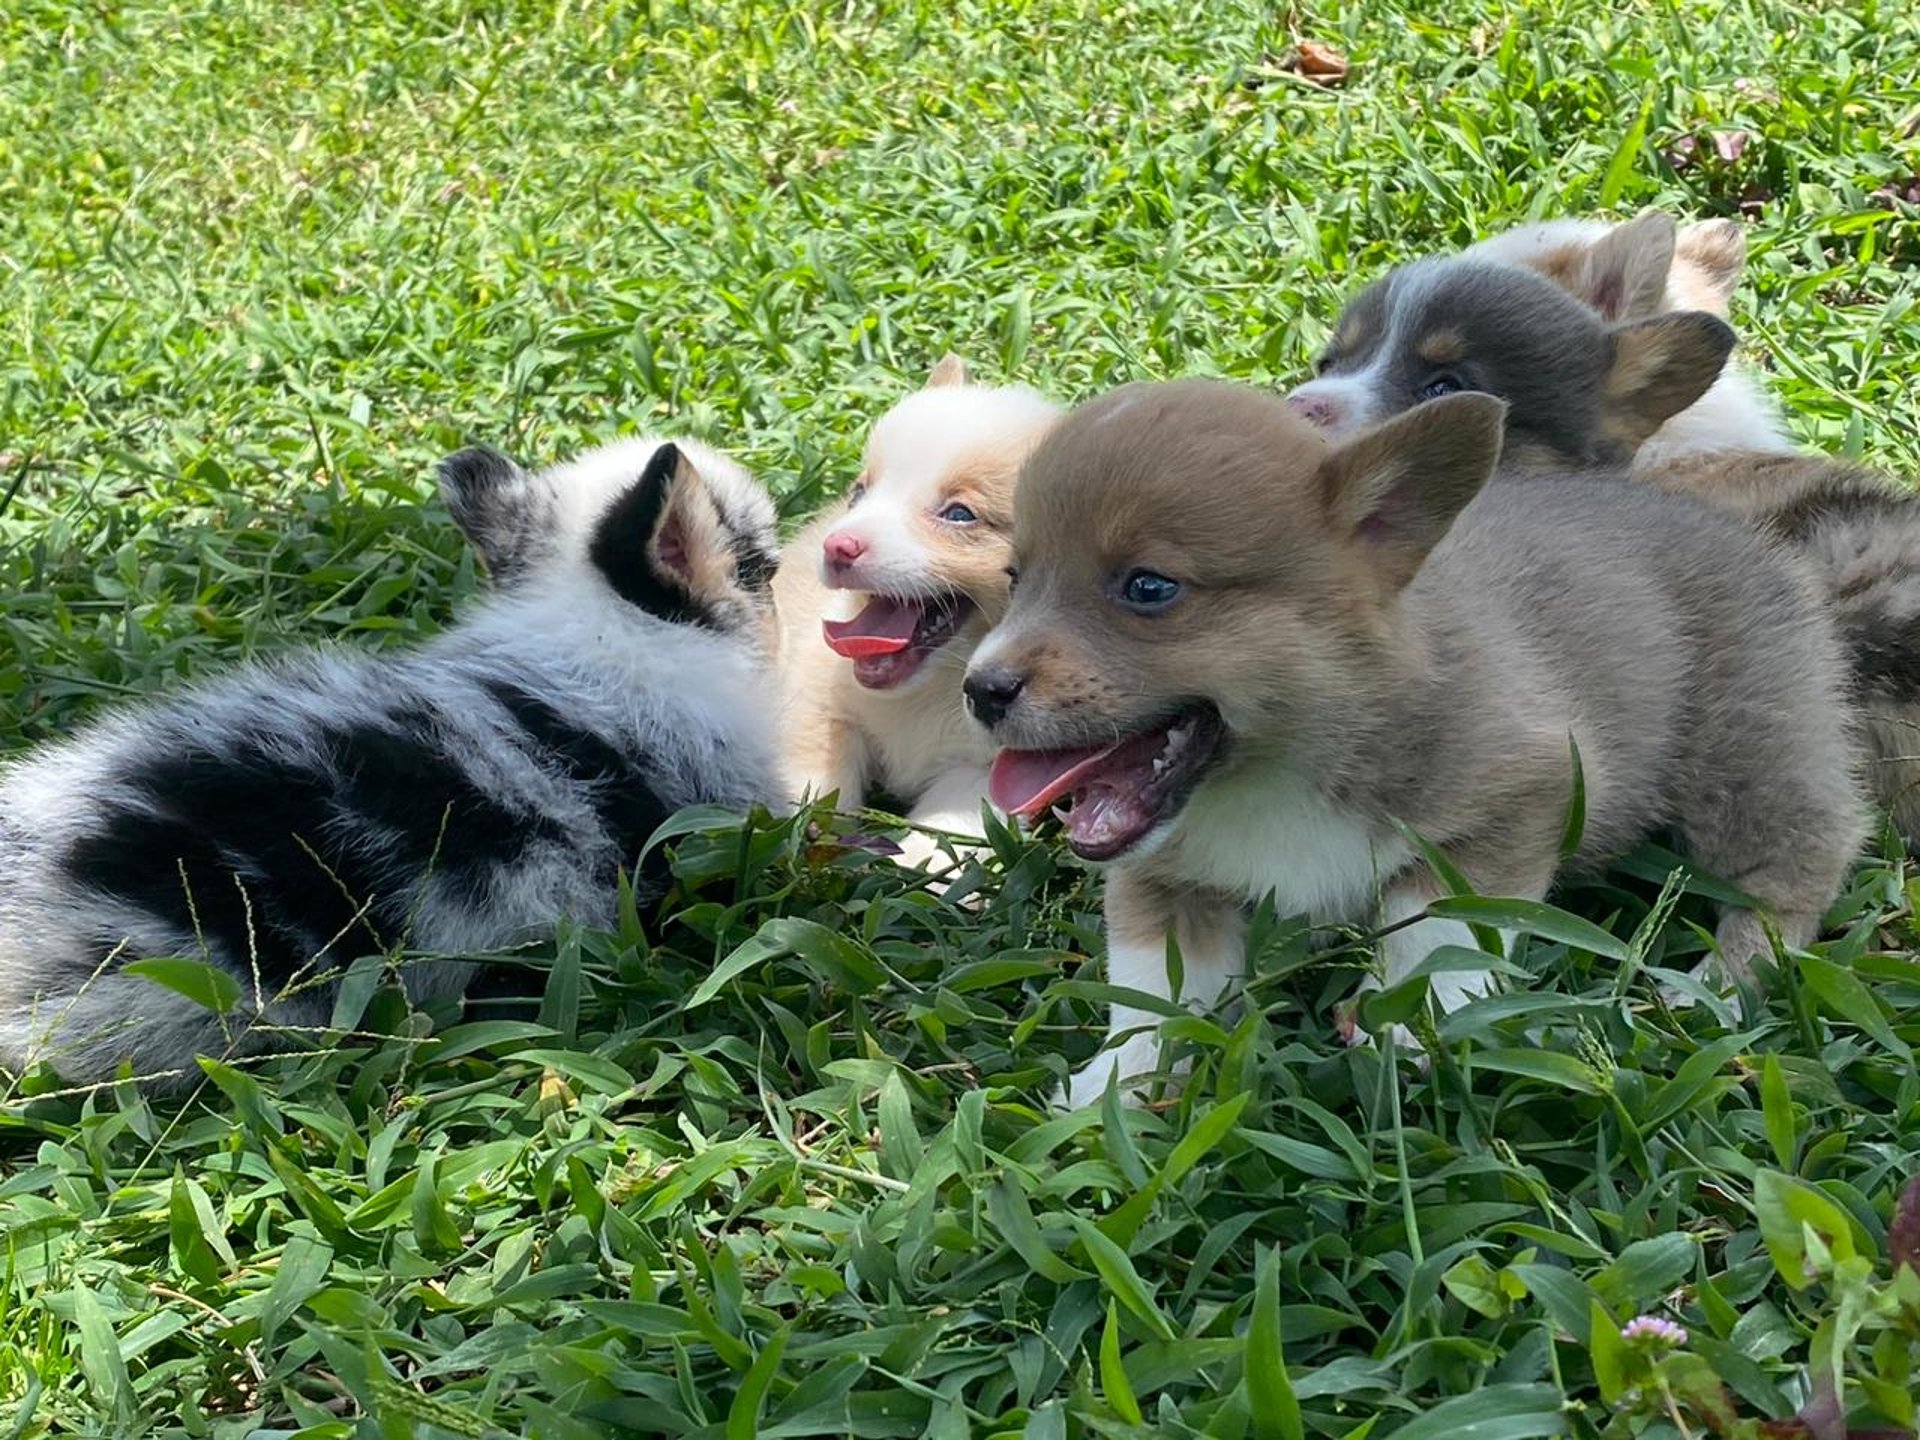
(279, 859)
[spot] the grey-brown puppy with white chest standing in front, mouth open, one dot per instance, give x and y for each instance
(1237, 654)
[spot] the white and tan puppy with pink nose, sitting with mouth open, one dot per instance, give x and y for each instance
(886, 596)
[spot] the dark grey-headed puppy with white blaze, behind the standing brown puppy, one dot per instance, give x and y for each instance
(1585, 391)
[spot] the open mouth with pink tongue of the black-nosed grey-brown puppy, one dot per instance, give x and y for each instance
(1113, 796)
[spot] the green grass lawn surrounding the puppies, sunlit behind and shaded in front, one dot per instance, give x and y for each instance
(262, 264)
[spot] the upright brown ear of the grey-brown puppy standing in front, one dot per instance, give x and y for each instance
(1399, 489)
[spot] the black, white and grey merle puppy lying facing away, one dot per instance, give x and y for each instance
(454, 800)
